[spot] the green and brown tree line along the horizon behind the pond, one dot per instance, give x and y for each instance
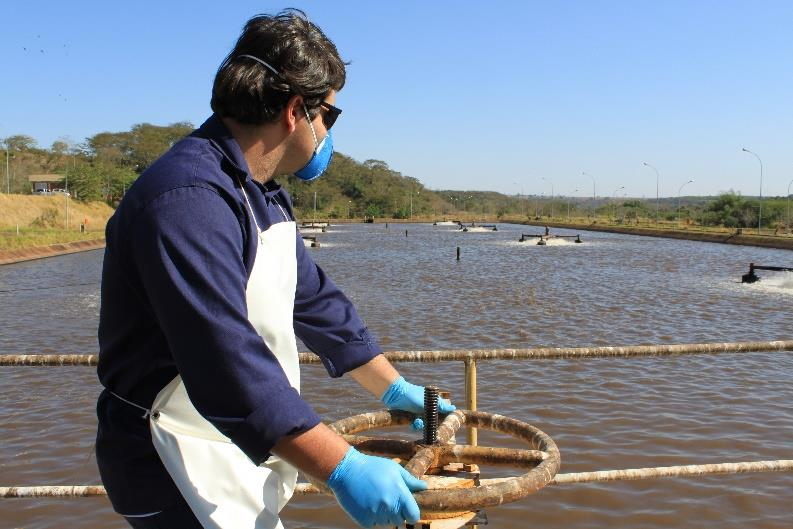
(106, 164)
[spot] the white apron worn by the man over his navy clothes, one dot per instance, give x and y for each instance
(224, 489)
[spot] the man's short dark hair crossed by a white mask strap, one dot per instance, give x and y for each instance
(307, 61)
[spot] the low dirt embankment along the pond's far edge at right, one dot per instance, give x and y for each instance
(744, 239)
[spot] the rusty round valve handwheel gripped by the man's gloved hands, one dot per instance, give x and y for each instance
(543, 459)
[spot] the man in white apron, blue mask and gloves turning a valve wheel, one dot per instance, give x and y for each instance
(205, 285)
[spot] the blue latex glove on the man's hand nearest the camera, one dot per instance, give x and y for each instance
(375, 491)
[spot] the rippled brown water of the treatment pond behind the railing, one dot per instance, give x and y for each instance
(603, 413)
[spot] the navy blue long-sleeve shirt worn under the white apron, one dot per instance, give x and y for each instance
(180, 249)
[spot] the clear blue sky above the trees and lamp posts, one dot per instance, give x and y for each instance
(505, 96)
